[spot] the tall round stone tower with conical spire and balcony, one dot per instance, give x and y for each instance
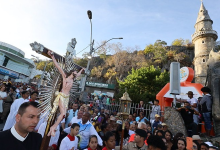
(204, 39)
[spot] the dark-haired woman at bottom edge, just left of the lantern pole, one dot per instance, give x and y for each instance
(109, 141)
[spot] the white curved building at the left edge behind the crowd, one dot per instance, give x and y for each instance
(13, 64)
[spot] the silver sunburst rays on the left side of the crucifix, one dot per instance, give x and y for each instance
(47, 93)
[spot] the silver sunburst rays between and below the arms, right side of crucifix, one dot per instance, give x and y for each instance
(71, 66)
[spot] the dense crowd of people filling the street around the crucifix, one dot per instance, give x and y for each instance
(93, 126)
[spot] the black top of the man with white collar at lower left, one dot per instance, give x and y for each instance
(9, 142)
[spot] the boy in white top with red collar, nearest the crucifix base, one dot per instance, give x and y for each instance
(70, 142)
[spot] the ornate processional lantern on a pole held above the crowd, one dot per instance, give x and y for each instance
(125, 103)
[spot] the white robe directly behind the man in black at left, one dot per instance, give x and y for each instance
(13, 112)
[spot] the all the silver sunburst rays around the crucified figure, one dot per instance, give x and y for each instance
(48, 93)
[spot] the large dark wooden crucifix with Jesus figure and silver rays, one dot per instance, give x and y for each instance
(63, 75)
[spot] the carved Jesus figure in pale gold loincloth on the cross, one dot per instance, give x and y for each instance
(62, 98)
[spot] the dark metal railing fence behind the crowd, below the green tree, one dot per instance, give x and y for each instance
(115, 106)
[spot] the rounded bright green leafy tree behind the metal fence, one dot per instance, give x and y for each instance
(144, 83)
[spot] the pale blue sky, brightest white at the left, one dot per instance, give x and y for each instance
(54, 23)
